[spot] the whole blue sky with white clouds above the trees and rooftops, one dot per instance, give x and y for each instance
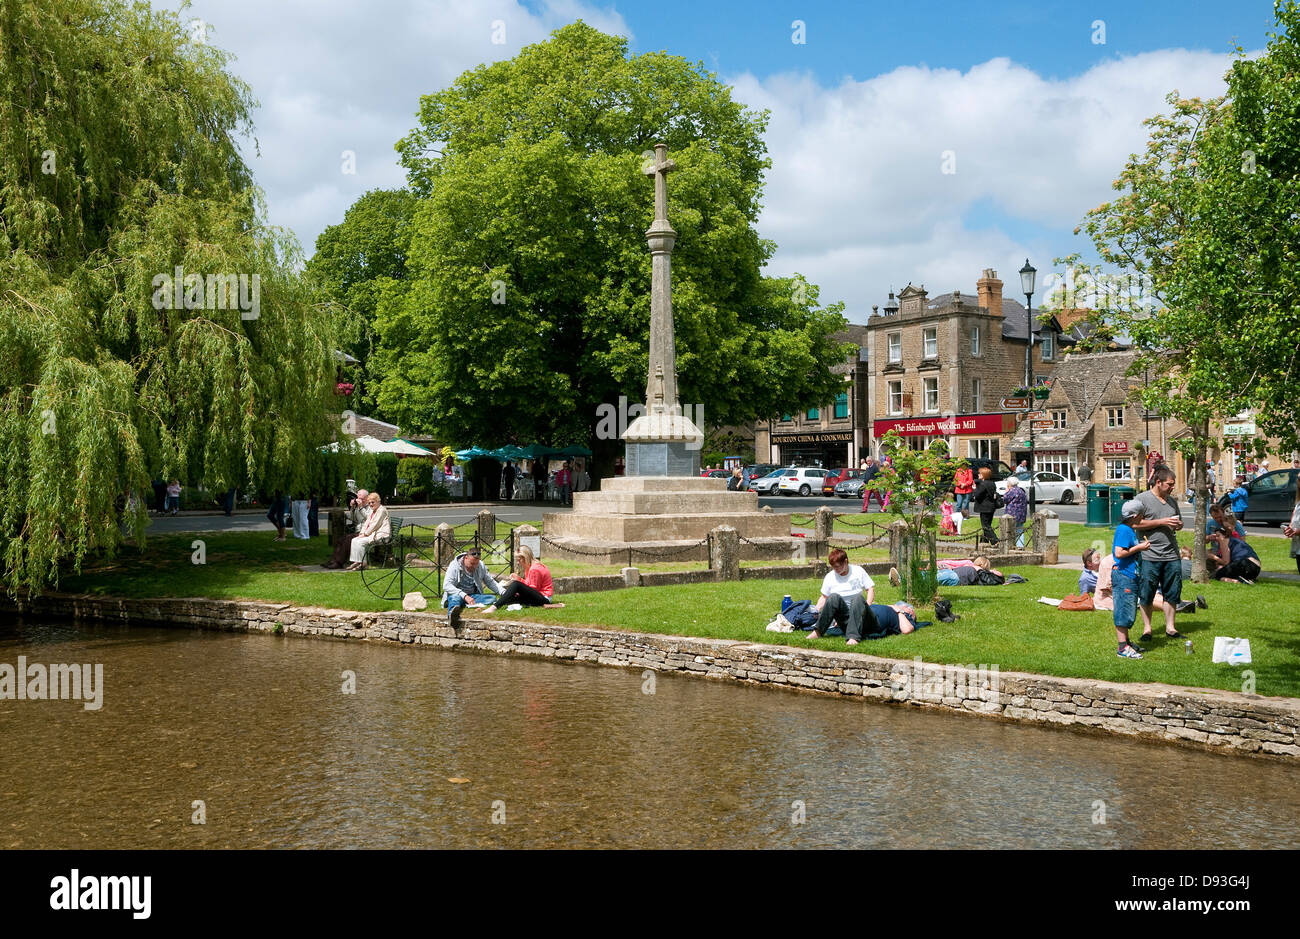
(909, 142)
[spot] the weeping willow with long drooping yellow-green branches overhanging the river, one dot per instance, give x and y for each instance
(150, 322)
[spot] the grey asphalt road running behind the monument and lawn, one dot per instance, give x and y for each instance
(530, 512)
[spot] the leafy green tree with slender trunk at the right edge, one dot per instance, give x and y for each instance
(1208, 219)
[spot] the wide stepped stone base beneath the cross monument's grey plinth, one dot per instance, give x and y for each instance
(662, 517)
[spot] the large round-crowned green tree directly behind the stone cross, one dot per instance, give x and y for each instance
(527, 300)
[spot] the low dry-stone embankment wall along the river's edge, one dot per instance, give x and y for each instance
(1211, 720)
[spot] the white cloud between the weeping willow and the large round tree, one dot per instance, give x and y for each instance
(337, 76)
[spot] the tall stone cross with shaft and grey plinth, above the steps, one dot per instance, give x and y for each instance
(662, 442)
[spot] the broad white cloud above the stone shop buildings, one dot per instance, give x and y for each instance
(857, 201)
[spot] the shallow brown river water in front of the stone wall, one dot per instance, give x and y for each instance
(259, 730)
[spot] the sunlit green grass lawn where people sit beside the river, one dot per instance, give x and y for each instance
(1000, 626)
